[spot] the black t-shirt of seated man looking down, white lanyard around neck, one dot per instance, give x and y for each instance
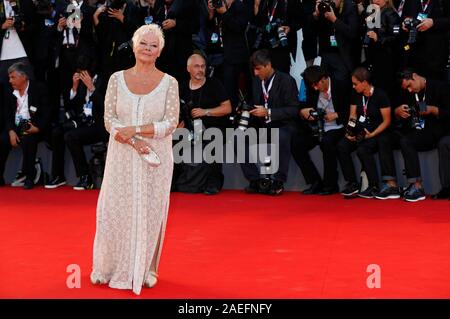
(374, 104)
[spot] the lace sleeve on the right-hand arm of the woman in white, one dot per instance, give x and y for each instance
(170, 120)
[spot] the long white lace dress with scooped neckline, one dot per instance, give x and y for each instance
(134, 198)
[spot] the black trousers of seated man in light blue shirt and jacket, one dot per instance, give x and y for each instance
(304, 142)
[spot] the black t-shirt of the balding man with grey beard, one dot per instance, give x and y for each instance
(209, 96)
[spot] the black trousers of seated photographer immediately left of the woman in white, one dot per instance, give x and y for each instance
(75, 140)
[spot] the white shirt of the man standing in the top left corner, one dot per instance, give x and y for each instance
(12, 47)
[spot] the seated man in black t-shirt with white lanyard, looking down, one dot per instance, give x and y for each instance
(370, 116)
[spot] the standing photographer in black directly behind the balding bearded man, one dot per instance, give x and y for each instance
(226, 36)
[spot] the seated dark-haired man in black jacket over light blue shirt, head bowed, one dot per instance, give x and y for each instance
(326, 109)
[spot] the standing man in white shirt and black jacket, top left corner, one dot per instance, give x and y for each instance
(15, 33)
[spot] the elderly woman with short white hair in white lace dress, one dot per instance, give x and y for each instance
(141, 112)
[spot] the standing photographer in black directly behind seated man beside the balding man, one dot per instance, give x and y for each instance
(274, 27)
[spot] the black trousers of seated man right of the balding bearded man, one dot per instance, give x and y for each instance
(251, 171)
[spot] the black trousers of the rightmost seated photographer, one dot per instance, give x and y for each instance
(410, 143)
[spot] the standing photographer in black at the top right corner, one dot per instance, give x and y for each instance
(425, 25)
